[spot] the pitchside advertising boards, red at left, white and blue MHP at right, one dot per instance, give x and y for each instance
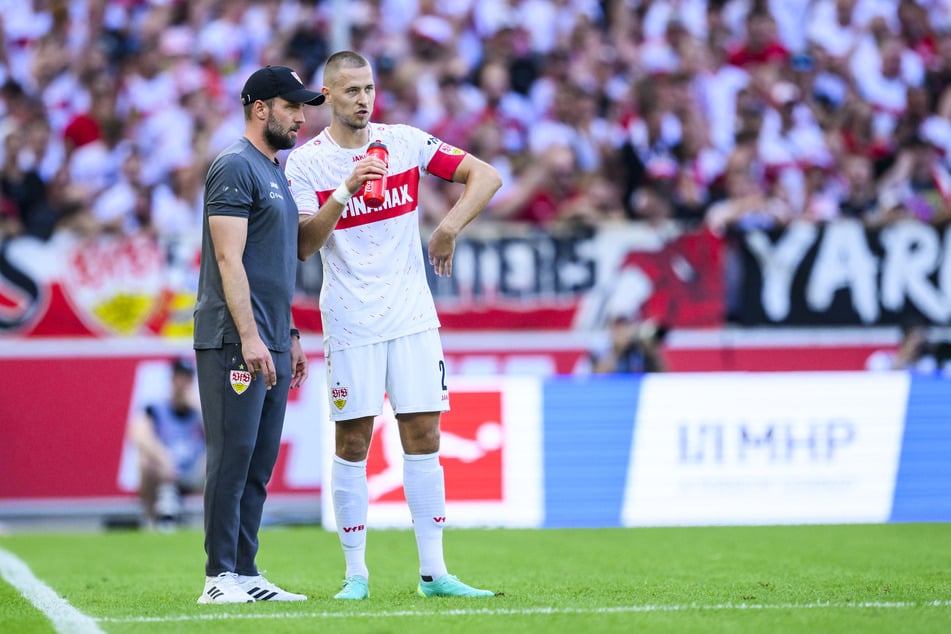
(528, 451)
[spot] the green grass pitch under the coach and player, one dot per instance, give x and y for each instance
(893, 578)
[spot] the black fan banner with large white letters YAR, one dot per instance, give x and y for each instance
(845, 274)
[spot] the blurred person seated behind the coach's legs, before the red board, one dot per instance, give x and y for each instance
(170, 440)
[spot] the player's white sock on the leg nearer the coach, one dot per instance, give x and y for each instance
(348, 481)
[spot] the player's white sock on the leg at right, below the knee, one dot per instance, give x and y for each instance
(425, 489)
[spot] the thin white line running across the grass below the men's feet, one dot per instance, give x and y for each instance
(686, 607)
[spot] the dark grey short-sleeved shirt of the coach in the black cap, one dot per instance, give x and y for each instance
(243, 182)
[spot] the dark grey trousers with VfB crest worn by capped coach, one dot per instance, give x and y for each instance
(243, 436)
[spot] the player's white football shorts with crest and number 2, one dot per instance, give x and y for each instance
(410, 370)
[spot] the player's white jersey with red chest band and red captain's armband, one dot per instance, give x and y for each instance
(374, 287)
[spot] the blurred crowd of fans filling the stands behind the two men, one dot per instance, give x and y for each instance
(726, 113)
